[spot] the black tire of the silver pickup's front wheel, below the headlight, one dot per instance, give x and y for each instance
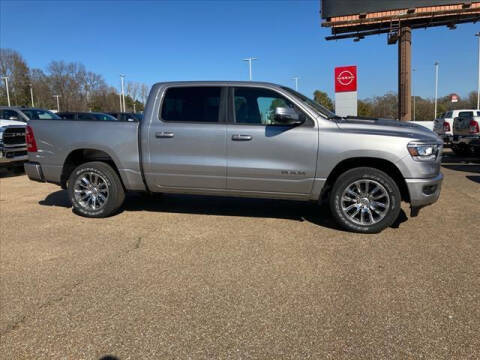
(377, 222)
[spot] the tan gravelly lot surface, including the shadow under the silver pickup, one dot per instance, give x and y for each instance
(210, 278)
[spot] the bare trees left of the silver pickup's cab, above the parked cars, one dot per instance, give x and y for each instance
(78, 88)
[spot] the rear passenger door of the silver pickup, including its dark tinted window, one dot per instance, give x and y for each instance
(187, 146)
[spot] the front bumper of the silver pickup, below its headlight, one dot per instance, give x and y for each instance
(424, 192)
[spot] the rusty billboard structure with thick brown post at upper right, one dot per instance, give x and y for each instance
(396, 18)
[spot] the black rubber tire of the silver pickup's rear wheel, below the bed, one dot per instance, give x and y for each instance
(115, 194)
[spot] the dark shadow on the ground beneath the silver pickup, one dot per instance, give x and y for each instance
(222, 206)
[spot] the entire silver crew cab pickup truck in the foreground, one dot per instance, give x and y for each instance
(241, 139)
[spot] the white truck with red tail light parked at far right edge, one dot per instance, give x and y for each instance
(466, 133)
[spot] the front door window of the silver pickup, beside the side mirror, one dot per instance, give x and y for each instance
(257, 106)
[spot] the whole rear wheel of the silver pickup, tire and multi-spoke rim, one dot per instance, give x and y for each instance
(95, 190)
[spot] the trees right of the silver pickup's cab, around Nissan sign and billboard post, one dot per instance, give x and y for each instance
(386, 106)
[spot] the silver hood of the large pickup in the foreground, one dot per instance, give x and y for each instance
(387, 127)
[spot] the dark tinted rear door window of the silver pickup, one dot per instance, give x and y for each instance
(191, 104)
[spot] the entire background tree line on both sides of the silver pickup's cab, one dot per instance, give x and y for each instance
(83, 90)
